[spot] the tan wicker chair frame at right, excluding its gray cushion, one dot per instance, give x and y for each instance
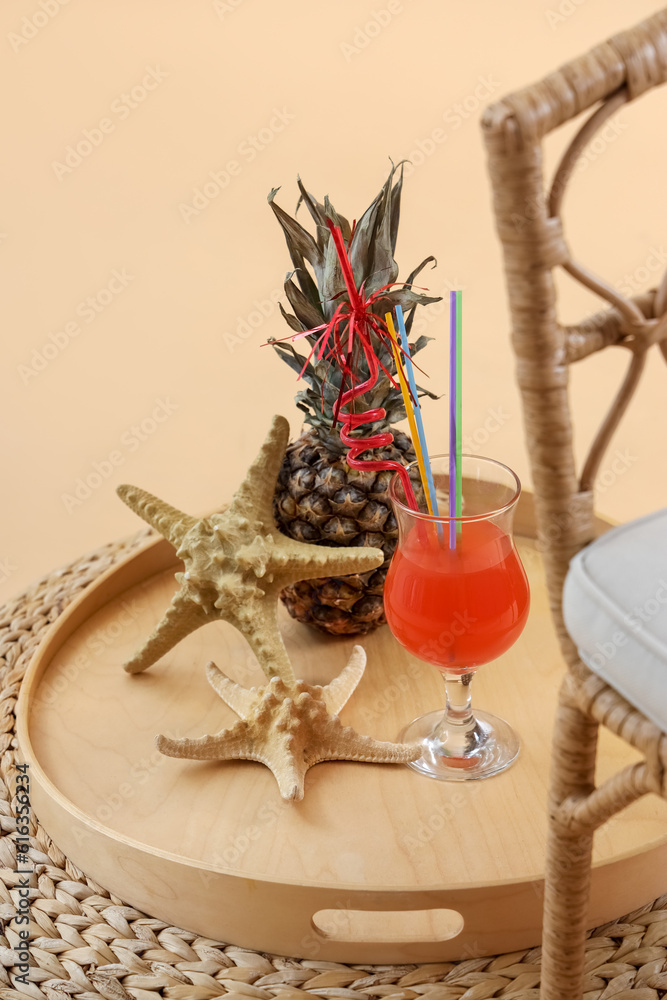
(531, 231)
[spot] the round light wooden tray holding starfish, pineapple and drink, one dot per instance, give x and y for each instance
(377, 864)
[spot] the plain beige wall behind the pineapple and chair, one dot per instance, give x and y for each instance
(137, 290)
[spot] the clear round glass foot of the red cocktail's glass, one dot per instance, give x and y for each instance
(497, 747)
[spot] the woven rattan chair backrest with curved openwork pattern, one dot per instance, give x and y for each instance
(531, 232)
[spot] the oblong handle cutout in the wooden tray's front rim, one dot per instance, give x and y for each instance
(388, 926)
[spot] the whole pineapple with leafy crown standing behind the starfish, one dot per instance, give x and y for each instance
(319, 498)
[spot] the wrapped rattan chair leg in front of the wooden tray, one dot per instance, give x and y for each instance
(568, 865)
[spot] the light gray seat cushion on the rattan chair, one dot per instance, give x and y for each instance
(615, 609)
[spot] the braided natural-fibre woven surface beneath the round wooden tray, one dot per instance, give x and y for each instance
(86, 943)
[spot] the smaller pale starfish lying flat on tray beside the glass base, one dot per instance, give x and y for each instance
(289, 730)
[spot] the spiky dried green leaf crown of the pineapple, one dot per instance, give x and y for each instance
(370, 246)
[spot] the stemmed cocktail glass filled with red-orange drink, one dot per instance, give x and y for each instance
(456, 595)
